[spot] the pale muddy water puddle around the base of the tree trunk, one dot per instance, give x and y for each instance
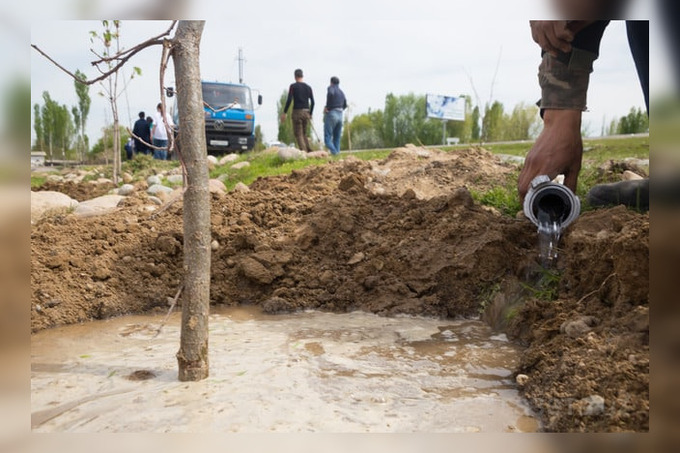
(310, 371)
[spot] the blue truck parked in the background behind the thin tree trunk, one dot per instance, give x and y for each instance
(229, 117)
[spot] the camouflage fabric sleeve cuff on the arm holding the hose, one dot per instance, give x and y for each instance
(564, 80)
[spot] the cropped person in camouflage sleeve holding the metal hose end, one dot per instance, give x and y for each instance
(569, 49)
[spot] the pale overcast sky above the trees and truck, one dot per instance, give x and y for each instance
(372, 56)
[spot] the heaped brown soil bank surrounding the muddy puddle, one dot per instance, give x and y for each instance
(398, 236)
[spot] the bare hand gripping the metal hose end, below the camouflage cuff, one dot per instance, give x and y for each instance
(558, 150)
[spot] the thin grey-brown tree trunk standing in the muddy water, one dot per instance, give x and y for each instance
(192, 356)
